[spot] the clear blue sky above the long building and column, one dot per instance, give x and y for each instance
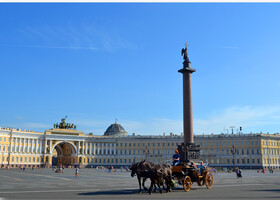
(97, 62)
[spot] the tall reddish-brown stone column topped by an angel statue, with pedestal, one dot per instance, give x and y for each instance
(188, 150)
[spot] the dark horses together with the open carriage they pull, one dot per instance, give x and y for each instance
(165, 175)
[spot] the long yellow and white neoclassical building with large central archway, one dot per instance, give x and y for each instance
(67, 146)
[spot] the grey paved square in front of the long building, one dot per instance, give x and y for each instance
(99, 184)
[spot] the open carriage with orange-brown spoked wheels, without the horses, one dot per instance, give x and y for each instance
(186, 175)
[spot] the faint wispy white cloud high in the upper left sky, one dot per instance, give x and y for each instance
(69, 36)
